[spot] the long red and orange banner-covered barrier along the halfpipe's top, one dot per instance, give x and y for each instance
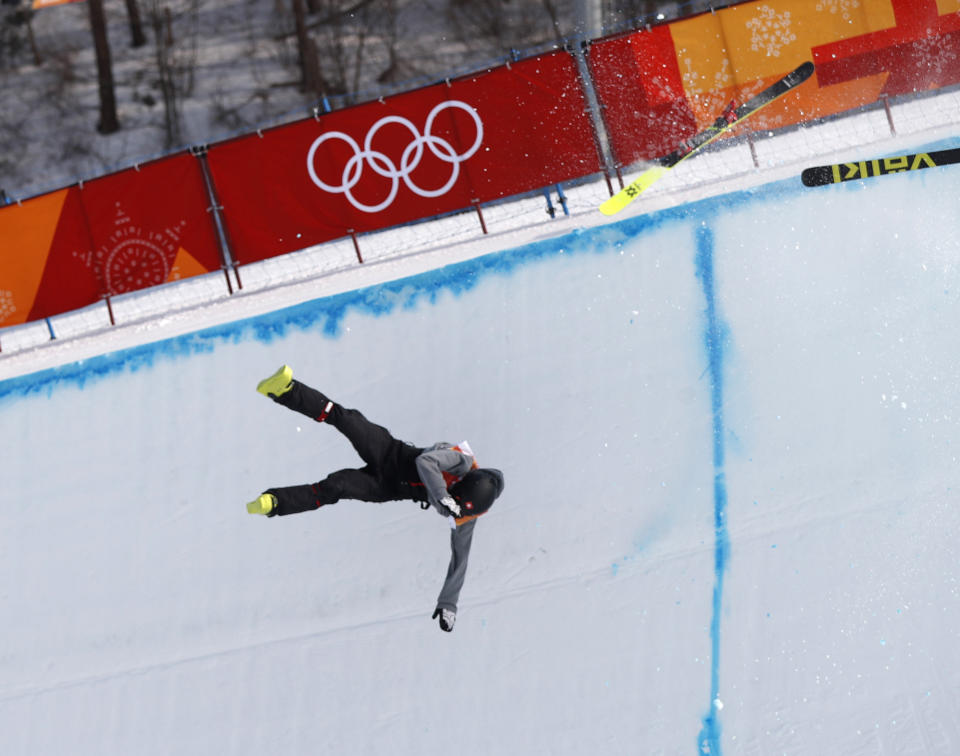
(505, 131)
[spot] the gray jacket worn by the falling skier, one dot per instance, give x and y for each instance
(431, 465)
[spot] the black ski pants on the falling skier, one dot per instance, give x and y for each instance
(390, 468)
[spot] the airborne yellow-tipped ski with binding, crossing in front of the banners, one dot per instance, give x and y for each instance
(731, 117)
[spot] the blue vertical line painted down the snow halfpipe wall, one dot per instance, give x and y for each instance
(715, 337)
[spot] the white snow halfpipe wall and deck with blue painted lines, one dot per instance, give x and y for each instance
(729, 434)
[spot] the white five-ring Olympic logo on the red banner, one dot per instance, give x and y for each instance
(382, 165)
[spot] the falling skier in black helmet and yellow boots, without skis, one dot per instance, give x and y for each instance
(442, 476)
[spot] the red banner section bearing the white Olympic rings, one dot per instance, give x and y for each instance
(434, 150)
